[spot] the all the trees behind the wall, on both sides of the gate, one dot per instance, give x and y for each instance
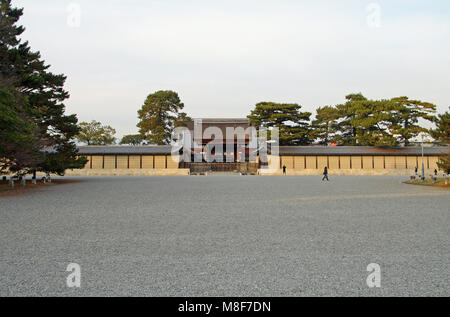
(357, 122)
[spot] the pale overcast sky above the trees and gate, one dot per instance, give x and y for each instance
(223, 57)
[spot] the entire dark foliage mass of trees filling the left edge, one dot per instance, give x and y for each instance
(39, 135)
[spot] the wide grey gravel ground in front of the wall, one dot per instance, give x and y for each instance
(226, 236)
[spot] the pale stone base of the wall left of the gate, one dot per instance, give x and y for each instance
(128, 172)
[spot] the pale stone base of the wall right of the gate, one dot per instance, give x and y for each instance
(356, 172)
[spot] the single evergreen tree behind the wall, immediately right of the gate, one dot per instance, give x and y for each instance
(294, 125)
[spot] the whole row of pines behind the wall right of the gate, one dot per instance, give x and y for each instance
(357, 122)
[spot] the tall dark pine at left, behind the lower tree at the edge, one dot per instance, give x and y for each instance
(42, 94)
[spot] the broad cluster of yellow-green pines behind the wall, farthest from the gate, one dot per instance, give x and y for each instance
(364, 122)
